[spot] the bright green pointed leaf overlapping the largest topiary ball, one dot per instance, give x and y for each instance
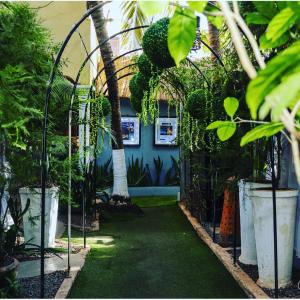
(181, 34)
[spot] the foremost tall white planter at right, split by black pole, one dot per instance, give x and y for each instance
(286, 201)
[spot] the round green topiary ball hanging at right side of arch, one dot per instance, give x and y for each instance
(195, 104)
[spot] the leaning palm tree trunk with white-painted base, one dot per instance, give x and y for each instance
(120, 187)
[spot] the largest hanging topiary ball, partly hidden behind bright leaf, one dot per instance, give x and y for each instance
(155, 44)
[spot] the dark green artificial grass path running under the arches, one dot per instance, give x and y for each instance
(157, 255)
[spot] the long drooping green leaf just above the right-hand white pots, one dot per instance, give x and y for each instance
(264, 130)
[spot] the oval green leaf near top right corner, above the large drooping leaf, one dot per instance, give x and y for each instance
(280, 24)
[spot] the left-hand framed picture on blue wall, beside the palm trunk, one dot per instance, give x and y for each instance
(130, 131)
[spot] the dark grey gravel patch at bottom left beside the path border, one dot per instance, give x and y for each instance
(30, 287)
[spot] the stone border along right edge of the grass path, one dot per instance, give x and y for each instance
(244, 281)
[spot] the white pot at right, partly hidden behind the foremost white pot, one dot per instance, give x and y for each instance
(248, 247)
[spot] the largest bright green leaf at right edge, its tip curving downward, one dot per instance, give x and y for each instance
(268, 78)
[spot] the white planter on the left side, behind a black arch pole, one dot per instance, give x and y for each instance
(32, 220)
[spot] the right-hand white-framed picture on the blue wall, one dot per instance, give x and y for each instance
(165, 132)
